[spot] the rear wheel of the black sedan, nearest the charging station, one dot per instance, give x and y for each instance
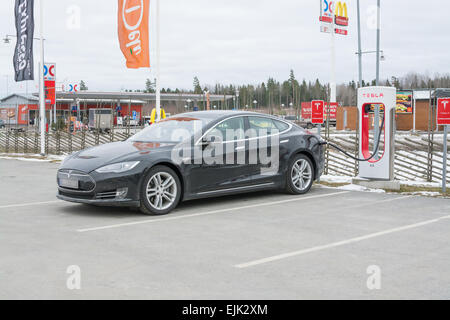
(300, 175)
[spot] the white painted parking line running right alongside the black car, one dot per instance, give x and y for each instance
(211, 212)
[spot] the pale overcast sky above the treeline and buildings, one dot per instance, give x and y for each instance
(232, 41)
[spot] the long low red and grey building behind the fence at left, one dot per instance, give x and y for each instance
(21, 109)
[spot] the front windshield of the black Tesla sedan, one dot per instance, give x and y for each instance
(174, 129)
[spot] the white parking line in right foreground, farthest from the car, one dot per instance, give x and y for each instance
(337, 244)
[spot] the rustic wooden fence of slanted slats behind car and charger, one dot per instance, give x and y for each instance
(411, 158)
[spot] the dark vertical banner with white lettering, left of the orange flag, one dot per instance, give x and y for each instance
(23, 53)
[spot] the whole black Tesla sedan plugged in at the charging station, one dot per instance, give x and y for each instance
(194, 155)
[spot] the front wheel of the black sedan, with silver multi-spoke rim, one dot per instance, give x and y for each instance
(160, 191)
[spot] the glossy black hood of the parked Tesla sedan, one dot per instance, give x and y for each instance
(96, 157)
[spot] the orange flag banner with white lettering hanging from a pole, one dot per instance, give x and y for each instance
(133, 32)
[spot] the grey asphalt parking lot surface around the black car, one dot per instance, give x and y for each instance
(251, 246)
